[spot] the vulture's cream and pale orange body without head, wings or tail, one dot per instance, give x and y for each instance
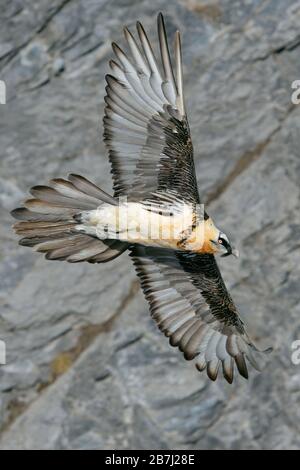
(163, 226)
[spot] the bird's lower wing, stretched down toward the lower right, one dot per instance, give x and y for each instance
(191, 305)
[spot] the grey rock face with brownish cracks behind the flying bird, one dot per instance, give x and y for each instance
(86, 367)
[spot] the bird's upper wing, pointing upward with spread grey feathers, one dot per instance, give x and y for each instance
(145, 124)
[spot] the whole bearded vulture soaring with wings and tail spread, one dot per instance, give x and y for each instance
(155, 212)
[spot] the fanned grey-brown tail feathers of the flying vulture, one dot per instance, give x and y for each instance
(48, 221)
